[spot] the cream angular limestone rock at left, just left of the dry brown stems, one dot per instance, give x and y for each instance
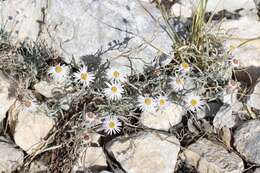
(31, 128)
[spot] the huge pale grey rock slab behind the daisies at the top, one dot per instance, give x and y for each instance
(79, 28)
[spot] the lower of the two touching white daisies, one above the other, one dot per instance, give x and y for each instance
(114, 91)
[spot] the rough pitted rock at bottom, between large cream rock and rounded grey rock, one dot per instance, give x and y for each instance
(208, 157)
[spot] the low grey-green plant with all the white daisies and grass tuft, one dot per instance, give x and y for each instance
(108, 99)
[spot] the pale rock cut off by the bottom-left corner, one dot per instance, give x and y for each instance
(11, 157)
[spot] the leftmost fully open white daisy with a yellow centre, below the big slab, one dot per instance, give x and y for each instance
(58, 72)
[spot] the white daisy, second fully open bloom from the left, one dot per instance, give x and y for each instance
(83, 76)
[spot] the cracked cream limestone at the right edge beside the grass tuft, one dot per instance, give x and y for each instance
(248, 54)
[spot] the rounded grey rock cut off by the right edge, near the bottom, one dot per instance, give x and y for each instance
(247, 140)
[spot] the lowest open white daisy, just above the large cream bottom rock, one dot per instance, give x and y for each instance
(112, 125)
